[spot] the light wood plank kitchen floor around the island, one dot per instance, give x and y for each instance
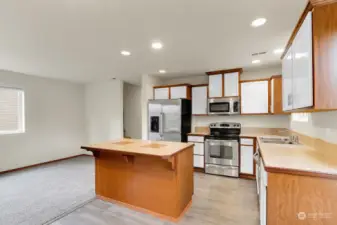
(216, 201)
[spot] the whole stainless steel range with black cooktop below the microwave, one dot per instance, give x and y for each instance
(222, 149)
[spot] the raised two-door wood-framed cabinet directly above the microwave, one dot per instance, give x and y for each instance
(224, 83)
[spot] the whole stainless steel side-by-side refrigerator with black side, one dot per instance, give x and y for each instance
(169, 120)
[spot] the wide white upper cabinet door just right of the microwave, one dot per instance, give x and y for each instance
(255, 97)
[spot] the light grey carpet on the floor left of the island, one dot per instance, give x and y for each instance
(38, 195)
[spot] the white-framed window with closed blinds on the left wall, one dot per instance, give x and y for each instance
(12, 116)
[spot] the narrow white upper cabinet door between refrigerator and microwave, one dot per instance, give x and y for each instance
(199, 100)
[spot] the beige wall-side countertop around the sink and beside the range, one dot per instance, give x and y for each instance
(312, 157)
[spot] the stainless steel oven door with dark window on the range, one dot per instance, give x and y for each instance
(222, 152)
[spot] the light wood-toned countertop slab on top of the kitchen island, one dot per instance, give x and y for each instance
(140, 147)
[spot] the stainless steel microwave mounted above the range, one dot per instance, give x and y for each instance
(224, 106)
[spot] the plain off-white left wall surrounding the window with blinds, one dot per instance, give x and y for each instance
(55, 123)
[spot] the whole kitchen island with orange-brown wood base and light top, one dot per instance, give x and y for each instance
(150, 176)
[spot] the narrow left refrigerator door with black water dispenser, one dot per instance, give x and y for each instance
(154, 121)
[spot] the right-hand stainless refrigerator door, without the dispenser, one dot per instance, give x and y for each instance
(171, 116)
